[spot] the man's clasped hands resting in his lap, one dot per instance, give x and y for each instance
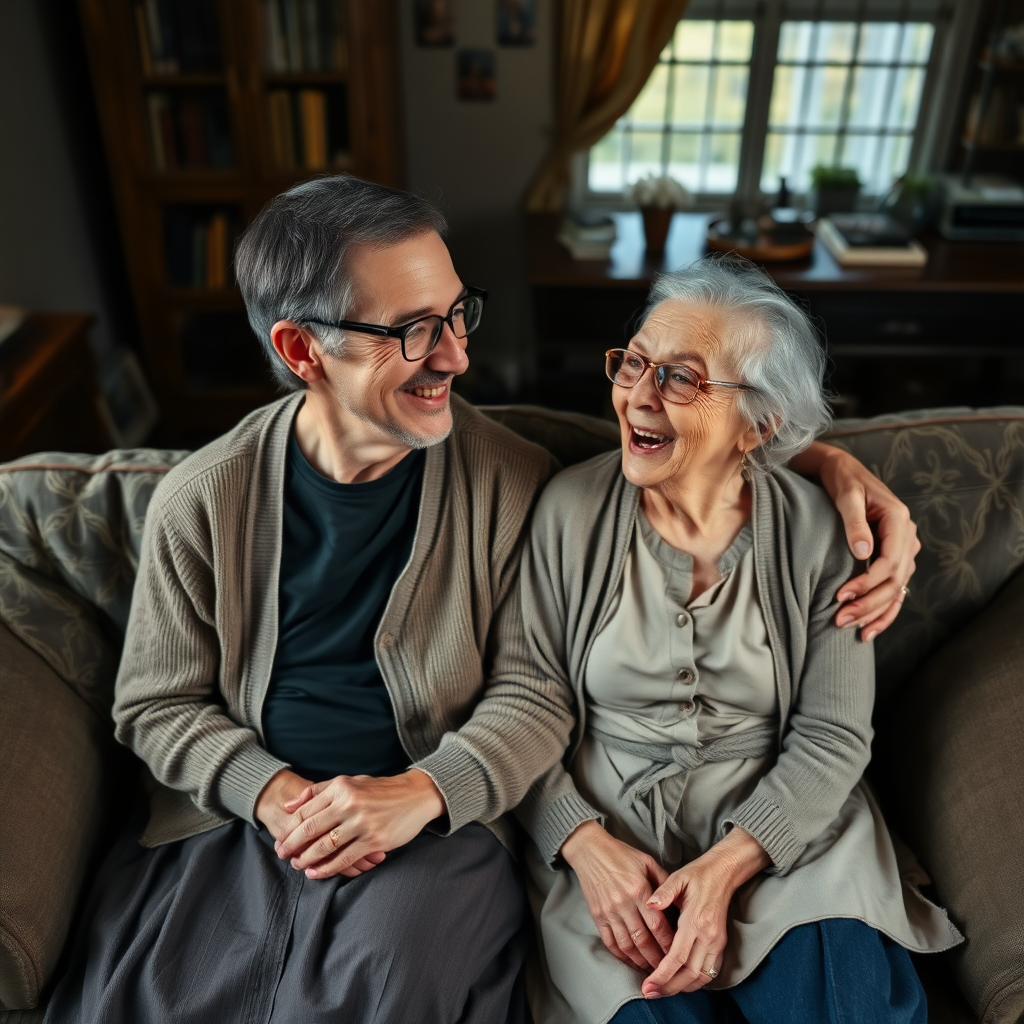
(346, 826)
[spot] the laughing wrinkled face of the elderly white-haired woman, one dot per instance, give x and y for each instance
(663, 443)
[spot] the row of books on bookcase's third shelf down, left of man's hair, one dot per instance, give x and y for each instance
(198, 247)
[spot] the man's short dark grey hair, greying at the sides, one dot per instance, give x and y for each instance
(292, 262)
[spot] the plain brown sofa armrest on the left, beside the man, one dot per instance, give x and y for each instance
(53, 767)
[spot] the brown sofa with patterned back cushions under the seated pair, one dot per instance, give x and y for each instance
(949, 758)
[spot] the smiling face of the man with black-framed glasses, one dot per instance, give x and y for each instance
(378, 395)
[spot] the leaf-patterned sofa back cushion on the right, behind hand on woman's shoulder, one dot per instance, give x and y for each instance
(961, 472)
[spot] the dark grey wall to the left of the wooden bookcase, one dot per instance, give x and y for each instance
(59, 245)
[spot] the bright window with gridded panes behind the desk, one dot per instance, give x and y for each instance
(747, 94)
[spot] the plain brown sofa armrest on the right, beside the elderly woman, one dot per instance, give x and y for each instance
(954, 763)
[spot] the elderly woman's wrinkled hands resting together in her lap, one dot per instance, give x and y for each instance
(619, 883)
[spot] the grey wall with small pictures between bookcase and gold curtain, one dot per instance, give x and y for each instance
(476, 161)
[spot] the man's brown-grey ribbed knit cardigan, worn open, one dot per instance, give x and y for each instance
(203, 629)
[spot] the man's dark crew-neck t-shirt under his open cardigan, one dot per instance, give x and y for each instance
(345, 546)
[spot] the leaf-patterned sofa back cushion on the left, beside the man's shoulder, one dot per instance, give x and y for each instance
(71, 529)
